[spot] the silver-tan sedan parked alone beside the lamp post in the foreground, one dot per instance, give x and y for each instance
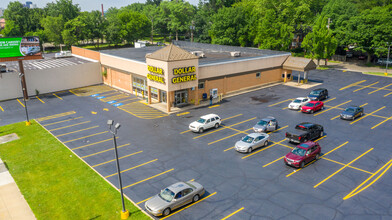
(173, 197)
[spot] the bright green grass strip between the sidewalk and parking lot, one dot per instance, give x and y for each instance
(56, 183)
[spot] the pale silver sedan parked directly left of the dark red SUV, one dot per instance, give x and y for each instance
(252, 141)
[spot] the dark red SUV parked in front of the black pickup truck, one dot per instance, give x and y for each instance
(303, 154)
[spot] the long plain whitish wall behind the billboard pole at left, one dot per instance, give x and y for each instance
(50, 80)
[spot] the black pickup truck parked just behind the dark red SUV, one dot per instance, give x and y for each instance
(304, 132)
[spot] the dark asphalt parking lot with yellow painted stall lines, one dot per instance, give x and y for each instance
(351, 179)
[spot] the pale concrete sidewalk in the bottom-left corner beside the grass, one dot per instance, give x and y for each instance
(12, 203)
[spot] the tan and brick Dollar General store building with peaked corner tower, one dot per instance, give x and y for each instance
(184, 73)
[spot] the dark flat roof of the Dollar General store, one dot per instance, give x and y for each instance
(214, 53)
